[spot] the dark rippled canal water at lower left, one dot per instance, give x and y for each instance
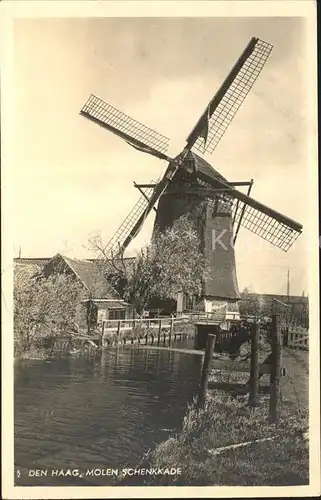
(98, 412)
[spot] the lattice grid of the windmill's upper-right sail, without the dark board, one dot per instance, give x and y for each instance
(234, 97)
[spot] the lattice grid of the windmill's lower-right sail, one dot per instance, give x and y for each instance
(263, 225)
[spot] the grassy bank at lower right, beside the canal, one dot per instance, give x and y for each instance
(226, 421)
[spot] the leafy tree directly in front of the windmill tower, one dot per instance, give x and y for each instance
(172, 263)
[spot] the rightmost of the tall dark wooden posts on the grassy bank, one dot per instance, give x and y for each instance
(276, 370)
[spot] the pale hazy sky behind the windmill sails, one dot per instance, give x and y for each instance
(73, 179)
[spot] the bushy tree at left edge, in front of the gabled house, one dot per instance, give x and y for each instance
(43, 307)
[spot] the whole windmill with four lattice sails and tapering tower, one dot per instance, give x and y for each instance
(191, 185)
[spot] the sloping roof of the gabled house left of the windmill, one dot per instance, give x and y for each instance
(87, 272)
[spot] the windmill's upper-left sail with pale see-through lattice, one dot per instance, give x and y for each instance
(133, 132)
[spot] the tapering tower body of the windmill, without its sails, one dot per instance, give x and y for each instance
(213, 219)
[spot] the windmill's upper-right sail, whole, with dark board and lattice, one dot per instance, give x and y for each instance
(221, 110)
